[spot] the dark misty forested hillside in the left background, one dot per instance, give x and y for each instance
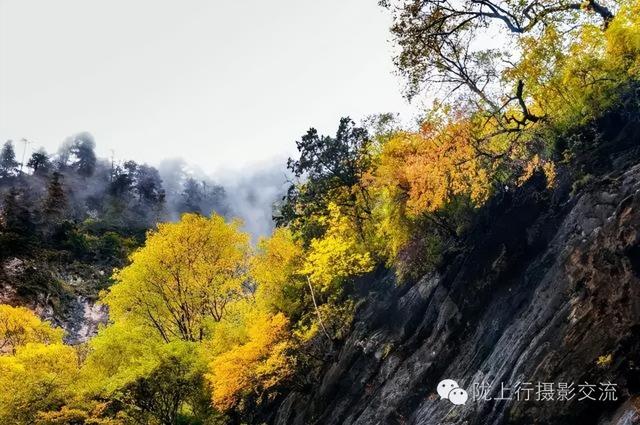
(69, 218)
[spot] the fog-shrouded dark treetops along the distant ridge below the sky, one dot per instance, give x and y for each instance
(74, 184)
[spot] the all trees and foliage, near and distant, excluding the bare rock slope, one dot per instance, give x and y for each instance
(205, 328)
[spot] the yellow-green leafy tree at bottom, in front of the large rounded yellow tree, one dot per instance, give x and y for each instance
(149, 381)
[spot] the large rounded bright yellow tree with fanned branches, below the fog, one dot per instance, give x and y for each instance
(183, 278)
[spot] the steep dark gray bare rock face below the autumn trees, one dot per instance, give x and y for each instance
(550, 285)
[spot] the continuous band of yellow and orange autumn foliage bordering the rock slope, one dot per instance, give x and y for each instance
(203, 323)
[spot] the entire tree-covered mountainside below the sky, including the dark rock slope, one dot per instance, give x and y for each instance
(497, 238)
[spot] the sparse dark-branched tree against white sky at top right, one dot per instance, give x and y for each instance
(444, 46)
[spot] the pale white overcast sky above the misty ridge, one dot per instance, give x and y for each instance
(219, 83)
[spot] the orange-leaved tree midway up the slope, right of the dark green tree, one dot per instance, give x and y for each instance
(420, 173)
